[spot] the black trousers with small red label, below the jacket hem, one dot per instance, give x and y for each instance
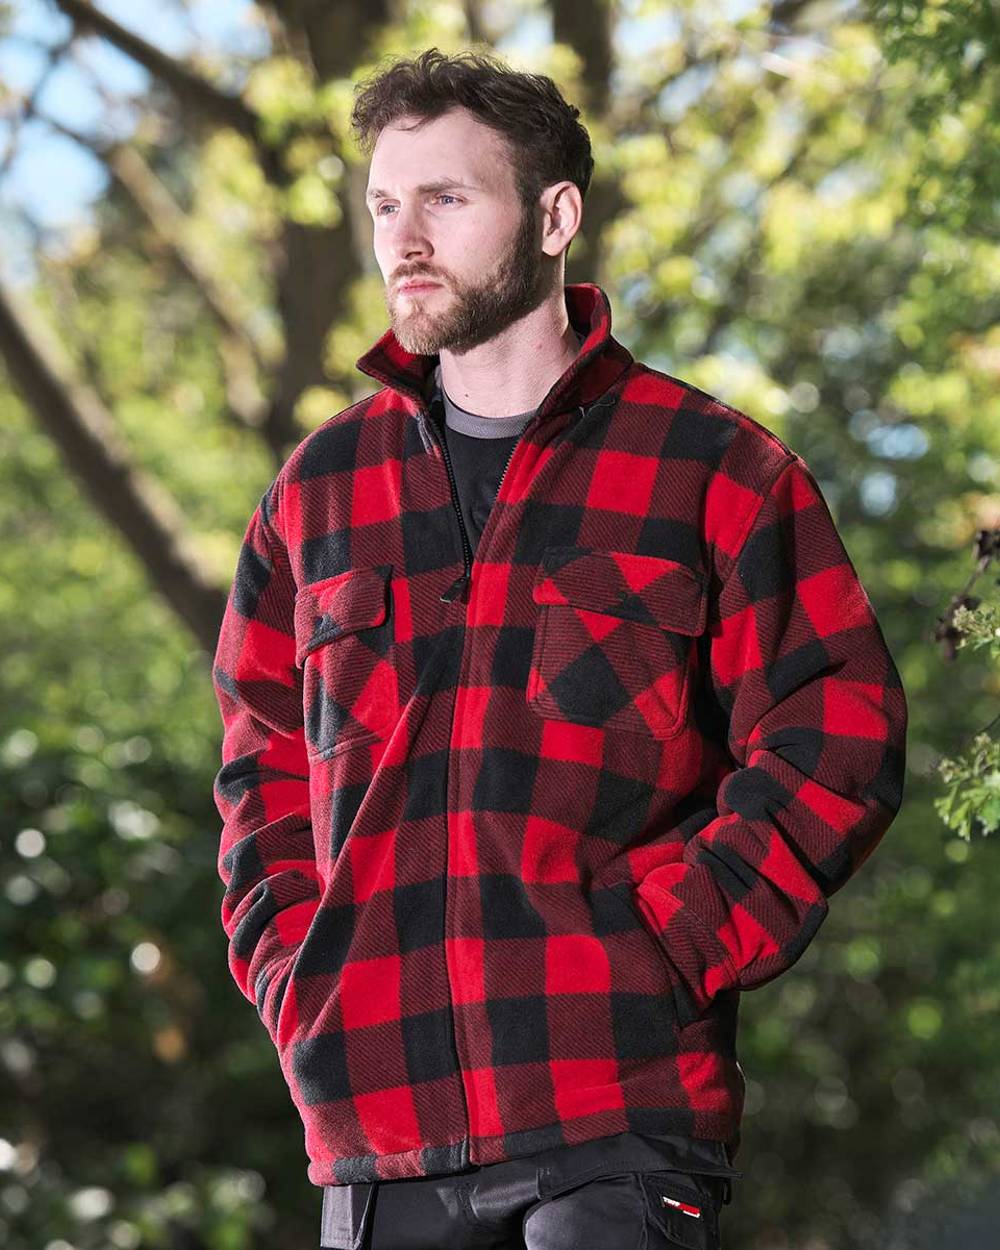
(524, 1204)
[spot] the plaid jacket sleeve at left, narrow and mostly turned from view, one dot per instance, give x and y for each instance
(267, 857)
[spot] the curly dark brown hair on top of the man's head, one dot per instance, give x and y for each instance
(544, 141)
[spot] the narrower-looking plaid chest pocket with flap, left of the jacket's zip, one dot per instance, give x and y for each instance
(344, 644)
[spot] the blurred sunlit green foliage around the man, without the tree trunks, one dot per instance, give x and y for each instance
(772, 251)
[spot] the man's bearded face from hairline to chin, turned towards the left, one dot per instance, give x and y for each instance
(477, 242)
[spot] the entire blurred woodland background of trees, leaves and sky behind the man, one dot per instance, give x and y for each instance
(796, 208)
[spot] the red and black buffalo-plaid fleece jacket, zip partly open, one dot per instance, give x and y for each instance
(501, 852)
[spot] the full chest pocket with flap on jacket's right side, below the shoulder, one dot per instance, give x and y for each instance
(616, 639)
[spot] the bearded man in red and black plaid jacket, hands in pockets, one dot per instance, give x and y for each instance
(554, 716)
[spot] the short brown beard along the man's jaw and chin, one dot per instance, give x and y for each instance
(478, 312)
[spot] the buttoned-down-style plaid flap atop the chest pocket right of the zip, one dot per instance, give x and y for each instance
(643, 588)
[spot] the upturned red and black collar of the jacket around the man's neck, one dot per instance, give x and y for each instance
(598, 367)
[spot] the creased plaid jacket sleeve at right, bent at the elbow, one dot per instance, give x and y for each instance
(817, 729)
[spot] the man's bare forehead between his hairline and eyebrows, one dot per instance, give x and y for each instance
(456, 146)
